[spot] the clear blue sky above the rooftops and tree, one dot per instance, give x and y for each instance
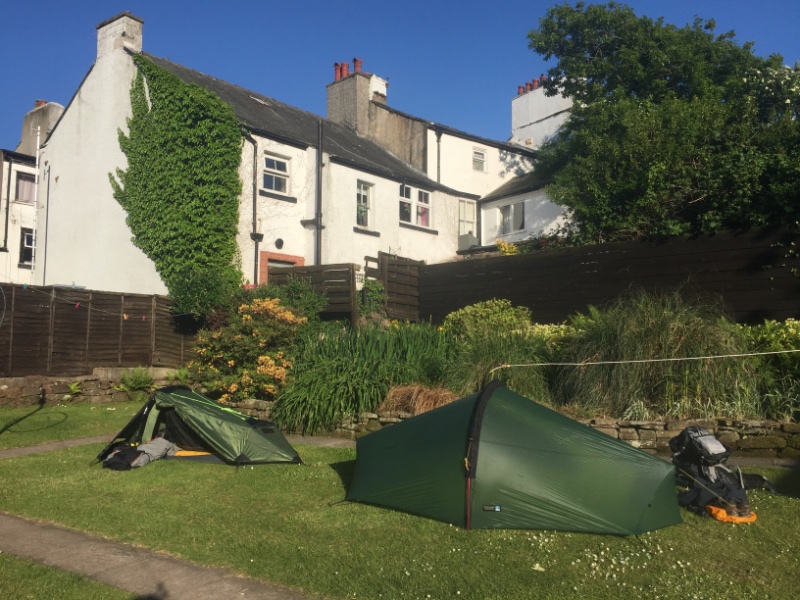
(454, 62)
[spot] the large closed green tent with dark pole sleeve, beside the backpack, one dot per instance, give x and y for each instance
(499, 460)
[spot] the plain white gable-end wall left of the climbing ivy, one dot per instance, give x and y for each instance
(82, 233)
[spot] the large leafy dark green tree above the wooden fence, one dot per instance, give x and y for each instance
(673, 130)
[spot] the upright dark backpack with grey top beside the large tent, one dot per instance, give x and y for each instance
(710, 485)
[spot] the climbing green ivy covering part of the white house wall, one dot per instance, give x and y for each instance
(181, 188)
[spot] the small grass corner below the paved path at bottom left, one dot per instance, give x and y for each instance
(22, 579)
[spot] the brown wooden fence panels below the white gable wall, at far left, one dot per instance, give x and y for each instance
(65, 331)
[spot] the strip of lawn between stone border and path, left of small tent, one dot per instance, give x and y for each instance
(38, 424)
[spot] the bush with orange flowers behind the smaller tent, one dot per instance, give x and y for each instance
(248, 357)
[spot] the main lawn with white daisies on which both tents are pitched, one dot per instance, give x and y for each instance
(288, 524)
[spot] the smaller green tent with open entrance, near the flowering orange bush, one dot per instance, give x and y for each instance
(193, 422)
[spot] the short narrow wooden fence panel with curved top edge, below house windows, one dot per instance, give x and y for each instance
(400, 279)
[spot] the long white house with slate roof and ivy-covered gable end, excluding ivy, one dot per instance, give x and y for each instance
(315, 190)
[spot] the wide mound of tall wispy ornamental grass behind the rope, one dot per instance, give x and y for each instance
(644, 327)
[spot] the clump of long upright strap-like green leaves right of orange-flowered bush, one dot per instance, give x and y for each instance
(346, 373)
